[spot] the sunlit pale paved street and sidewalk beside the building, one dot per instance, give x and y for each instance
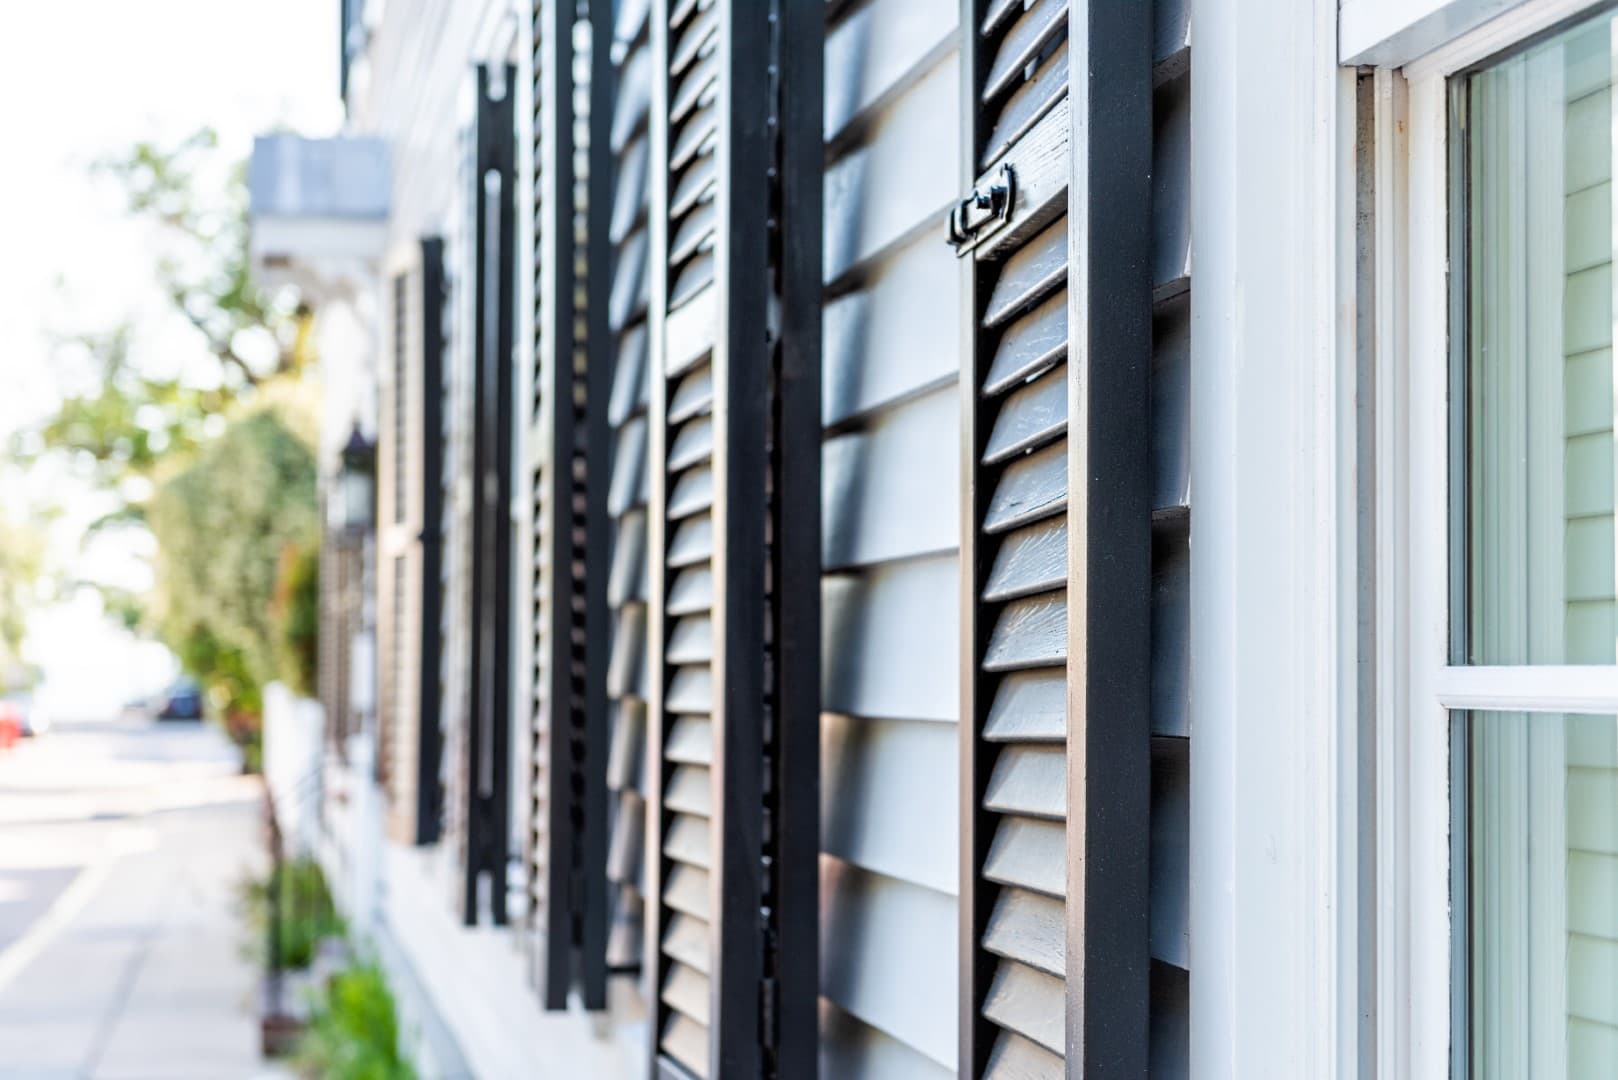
(124, 846)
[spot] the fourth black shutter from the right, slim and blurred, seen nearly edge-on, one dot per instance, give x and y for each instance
(486, 738)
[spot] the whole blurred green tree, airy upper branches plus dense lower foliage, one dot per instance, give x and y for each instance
(213, 454)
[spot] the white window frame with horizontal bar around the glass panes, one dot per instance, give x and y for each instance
(1420, 689)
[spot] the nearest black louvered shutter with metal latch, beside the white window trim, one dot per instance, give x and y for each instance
(1057, 546)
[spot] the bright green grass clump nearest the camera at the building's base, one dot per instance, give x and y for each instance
(354, 1034)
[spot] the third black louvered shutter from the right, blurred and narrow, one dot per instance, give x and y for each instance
(570, 618)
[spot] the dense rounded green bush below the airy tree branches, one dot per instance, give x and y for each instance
(222, 525)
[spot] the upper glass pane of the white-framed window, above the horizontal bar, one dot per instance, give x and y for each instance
(1535, 372)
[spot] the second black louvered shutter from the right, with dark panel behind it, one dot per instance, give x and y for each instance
(734, 532)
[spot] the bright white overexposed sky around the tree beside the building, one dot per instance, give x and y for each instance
(82, 82)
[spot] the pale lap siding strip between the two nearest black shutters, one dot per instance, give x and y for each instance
(891, 504)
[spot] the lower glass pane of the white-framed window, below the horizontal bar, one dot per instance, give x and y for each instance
(1536, 896)
